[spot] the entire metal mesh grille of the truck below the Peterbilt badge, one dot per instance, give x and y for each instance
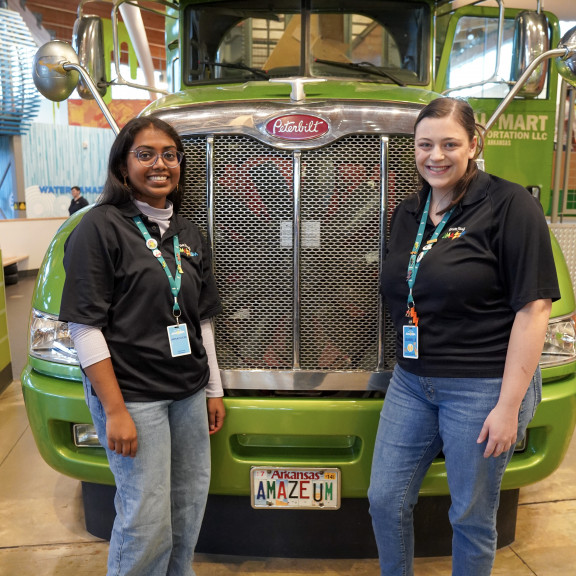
(339, 249)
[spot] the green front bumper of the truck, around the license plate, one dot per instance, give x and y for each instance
(288, 432)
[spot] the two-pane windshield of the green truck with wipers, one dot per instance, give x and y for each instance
(372, 40)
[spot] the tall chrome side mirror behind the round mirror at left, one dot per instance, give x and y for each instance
(88, 41)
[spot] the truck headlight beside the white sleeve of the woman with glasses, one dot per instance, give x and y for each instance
(50, 339)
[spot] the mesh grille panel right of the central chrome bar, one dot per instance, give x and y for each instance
(340, 255)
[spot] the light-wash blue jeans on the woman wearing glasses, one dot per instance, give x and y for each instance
(161, 493)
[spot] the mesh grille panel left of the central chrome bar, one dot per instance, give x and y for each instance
(252, 197)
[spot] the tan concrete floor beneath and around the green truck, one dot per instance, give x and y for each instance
(42, 529)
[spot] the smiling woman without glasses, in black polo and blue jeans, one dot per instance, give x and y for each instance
(460, 248)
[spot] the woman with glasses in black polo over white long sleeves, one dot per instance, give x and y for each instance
(139, 295)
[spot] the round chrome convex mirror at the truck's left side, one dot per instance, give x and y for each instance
(48, 73)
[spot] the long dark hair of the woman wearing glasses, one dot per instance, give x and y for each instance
(116, 189)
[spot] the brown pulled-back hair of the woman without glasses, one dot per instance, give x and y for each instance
(462, 112)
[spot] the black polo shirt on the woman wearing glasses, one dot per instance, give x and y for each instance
(113, 281)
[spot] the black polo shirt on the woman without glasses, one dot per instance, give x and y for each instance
(493, 257)
